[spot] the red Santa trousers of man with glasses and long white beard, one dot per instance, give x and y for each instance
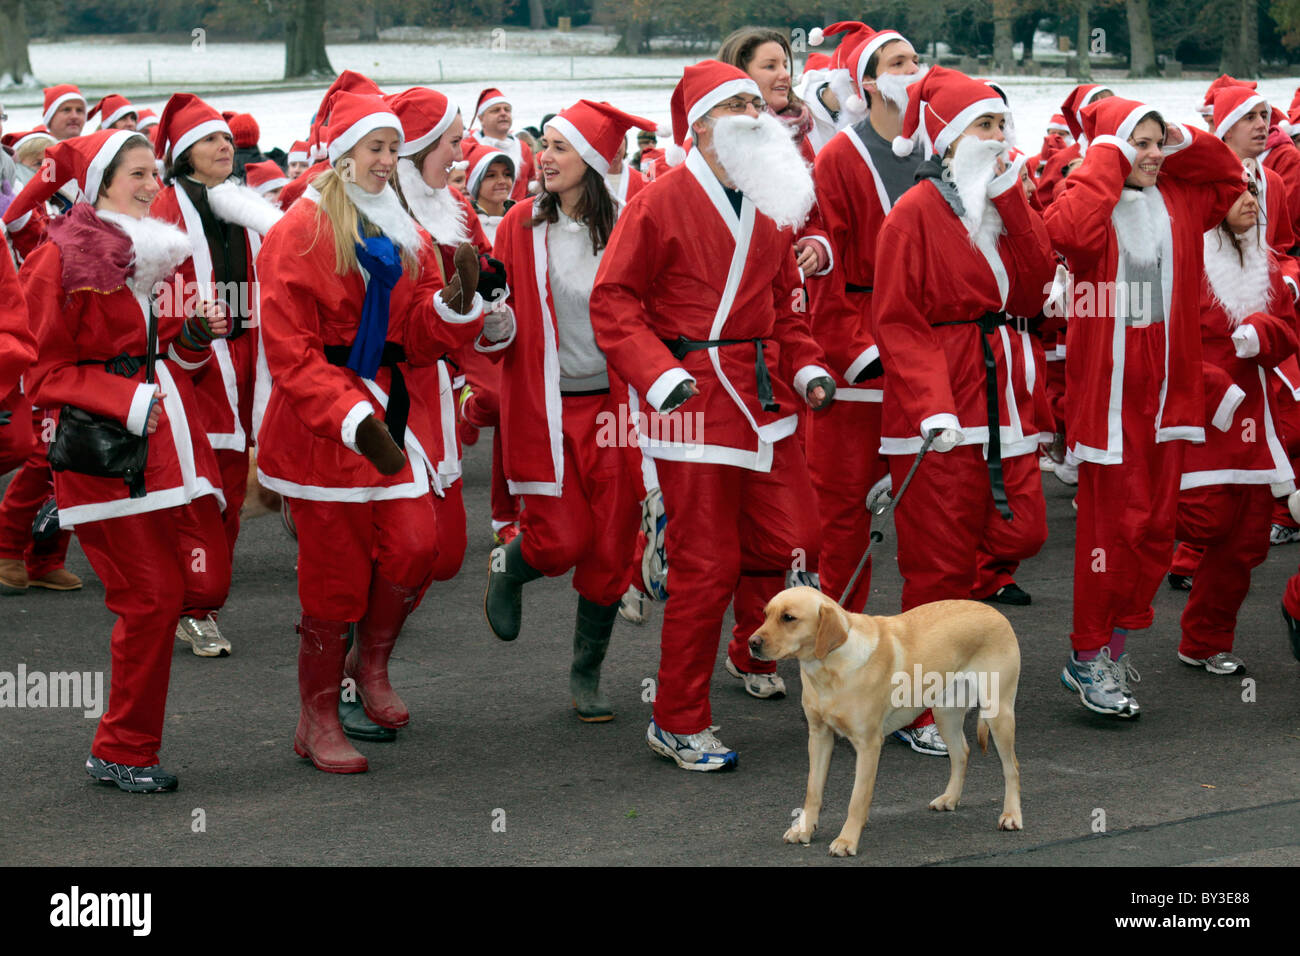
(730, 530)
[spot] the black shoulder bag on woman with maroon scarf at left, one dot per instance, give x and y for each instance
(98, 445)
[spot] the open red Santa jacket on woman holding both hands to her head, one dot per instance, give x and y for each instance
(1198, 183)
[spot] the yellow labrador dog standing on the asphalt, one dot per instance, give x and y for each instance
(865, 678)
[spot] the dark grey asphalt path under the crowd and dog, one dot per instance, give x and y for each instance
(497, 769)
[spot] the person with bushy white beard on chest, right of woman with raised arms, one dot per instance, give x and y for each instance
(1228, 486)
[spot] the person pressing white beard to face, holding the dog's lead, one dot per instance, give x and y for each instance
(955, 257)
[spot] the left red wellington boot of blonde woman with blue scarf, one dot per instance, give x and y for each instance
(320, 672)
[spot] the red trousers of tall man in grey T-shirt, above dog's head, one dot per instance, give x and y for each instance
(844, 462)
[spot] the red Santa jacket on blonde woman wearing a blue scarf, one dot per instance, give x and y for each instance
(306, 306)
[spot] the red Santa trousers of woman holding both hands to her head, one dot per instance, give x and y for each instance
(1125, 530)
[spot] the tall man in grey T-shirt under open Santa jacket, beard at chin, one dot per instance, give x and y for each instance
(859, 180)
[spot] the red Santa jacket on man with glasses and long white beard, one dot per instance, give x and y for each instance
(682, 263)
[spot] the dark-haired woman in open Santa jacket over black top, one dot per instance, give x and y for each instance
(226, 223)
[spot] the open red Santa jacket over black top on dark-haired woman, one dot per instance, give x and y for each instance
(219, 386)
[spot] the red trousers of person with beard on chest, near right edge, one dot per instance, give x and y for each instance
(1233, 524)
